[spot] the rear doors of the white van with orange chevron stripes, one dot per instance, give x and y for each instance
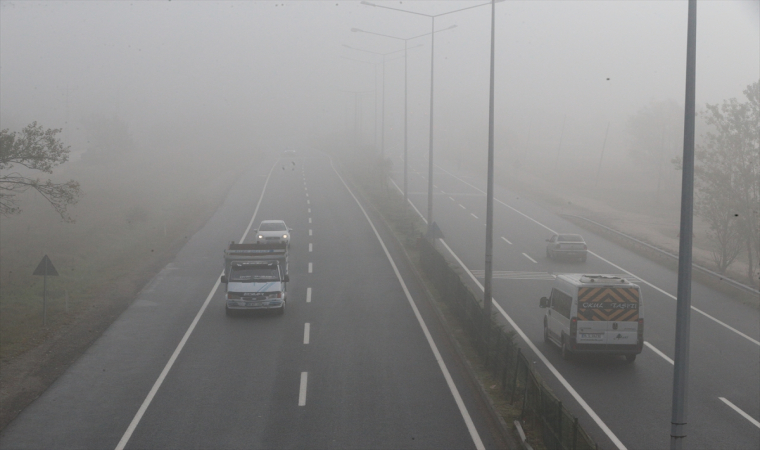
(608, 315)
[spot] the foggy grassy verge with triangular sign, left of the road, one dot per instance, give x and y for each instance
(127, 228)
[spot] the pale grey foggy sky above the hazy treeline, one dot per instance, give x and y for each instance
(261, 70)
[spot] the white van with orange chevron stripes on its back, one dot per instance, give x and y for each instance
(594, 314)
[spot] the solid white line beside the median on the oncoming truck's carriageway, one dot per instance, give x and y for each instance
(449, 381)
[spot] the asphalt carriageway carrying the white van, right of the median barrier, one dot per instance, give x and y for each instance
(622, 405)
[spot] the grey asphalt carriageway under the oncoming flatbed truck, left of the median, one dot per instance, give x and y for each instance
(357, 361)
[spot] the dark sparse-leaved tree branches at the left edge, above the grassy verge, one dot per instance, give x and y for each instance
(34, 149)
